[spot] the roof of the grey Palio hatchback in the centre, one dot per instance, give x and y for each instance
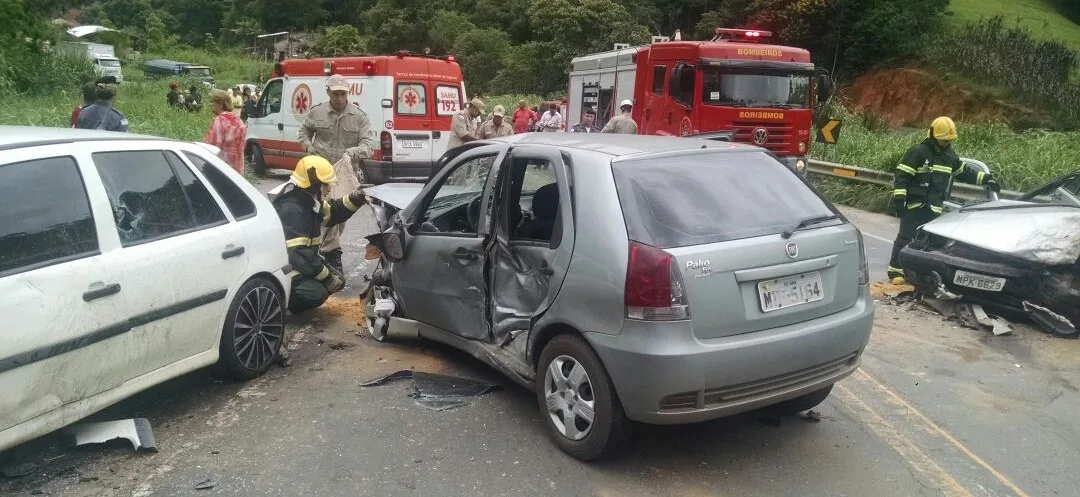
(622, 145)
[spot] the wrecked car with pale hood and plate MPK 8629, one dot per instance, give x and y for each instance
(1019, 258)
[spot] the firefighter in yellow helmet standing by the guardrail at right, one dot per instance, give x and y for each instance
(922, 183)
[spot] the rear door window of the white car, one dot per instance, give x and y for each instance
(152, 200)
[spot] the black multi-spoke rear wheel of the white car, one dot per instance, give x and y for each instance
(254, 329)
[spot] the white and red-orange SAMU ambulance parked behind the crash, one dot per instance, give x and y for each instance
(410, 100)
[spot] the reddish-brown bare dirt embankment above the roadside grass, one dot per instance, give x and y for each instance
(914, 98)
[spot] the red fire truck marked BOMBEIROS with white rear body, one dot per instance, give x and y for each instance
(734, 87)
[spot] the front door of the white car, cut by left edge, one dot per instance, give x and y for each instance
(65, 325)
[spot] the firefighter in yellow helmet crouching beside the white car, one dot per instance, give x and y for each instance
(305, 210)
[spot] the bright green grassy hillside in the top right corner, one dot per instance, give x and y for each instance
(1039, 17)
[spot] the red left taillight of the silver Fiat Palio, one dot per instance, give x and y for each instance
(654, 287)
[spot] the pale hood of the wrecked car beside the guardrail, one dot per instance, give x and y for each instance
(1047, 235)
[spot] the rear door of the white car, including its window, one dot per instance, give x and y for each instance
(184, 257)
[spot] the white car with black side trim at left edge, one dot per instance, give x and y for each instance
(127, 261)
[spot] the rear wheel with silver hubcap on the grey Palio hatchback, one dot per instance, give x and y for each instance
(609, 428)
